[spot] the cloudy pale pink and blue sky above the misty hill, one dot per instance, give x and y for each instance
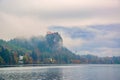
(86, 26)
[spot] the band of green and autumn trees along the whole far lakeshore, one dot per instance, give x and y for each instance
(8, 57)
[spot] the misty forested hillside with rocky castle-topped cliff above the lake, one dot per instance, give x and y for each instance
(44, 50)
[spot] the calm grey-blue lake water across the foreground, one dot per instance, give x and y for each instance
(62, 72)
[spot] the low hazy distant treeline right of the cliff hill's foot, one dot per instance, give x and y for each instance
(91, 59)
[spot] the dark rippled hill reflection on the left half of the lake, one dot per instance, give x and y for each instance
(33, 74)
